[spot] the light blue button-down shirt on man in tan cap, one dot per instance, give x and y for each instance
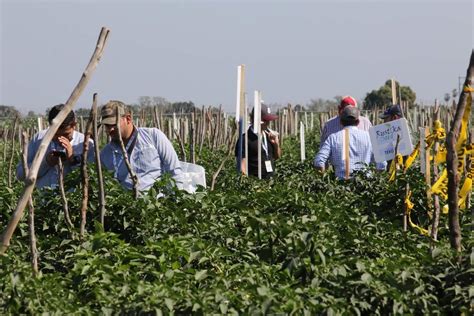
(152, 154)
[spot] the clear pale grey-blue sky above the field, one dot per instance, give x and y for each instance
(293, 51)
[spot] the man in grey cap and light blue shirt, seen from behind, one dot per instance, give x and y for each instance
(347, 150)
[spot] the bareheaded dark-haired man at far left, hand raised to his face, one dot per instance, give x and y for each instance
(67, 145)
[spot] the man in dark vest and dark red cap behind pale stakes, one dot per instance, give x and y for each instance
(270, 150)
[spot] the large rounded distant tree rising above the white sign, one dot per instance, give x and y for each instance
(383, 96)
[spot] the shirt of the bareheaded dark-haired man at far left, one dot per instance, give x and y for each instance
(48, 175)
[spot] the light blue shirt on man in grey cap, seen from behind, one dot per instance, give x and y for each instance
(360, 151)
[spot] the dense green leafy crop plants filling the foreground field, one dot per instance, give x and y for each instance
(300, 243)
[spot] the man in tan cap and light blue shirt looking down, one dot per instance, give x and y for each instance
(150, 152)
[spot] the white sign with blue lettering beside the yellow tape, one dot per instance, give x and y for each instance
(384, 139)
